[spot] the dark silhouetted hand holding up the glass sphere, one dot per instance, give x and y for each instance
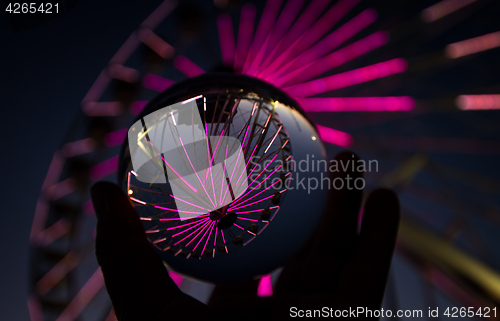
(338, 268)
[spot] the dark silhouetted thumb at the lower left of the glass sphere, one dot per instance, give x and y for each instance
(135, 277)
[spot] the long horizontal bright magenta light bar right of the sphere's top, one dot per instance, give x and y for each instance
(350, 104)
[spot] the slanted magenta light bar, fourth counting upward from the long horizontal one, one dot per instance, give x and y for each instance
(330, 42)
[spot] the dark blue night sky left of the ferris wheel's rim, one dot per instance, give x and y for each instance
(46, 71)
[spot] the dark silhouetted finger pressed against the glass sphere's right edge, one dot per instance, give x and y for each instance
(336, 236)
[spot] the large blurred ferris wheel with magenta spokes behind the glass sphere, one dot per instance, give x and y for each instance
(331, 56)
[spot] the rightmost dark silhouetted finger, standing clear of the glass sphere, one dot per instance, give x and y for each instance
(365, 275)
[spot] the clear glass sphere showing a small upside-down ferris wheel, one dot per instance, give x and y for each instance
(223, 205)
